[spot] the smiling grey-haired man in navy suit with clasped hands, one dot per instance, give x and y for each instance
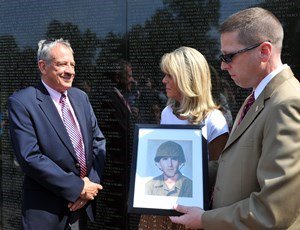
(58, 144)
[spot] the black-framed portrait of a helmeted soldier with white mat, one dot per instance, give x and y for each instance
(169, 166)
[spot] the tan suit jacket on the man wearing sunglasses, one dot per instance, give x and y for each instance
(258, 178)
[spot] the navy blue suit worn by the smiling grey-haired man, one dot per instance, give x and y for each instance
(46, 155)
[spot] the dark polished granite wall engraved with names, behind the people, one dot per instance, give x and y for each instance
(118, 46)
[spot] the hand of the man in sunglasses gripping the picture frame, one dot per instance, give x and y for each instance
(192, 217)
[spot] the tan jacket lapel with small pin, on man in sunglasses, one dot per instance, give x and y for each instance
(257, 106)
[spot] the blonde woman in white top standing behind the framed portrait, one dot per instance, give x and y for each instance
(188, 87)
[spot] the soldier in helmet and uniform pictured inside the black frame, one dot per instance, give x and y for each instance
(170, 159)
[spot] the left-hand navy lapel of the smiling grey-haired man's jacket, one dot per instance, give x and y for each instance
(47, 106)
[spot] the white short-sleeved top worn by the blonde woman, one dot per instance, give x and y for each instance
(214, 124)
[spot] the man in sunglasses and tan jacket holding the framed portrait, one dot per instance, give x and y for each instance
(259, 170)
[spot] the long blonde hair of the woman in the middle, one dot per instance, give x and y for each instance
(190, 72)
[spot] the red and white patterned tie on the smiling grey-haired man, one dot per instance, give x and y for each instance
(74, 134)
